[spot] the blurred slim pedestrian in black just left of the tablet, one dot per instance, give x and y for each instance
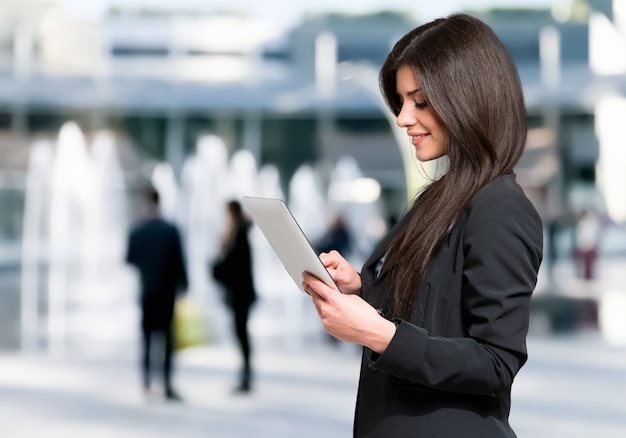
(233, 270)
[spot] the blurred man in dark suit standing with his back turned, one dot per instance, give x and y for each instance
(155, 250)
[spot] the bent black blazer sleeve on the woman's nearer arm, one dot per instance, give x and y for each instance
(501, 248)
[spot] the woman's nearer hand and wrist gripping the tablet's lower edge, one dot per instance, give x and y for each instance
(348, 317)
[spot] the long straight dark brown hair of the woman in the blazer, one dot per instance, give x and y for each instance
(470, 81)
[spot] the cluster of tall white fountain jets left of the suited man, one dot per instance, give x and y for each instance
(74, 224)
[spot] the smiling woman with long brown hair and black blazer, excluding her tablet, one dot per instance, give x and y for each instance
(442, 305)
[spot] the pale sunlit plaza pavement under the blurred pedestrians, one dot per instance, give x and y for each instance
(573, 386)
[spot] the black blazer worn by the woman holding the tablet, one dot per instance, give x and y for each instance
(448, 371)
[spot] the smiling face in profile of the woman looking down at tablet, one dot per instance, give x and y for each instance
(423, 126)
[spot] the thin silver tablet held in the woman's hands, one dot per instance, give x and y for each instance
(287, 239)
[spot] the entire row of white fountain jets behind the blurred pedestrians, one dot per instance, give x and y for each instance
(76, 219)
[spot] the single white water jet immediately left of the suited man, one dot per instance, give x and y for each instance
(99, 293)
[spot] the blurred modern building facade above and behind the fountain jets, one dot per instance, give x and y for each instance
(162, 78)
